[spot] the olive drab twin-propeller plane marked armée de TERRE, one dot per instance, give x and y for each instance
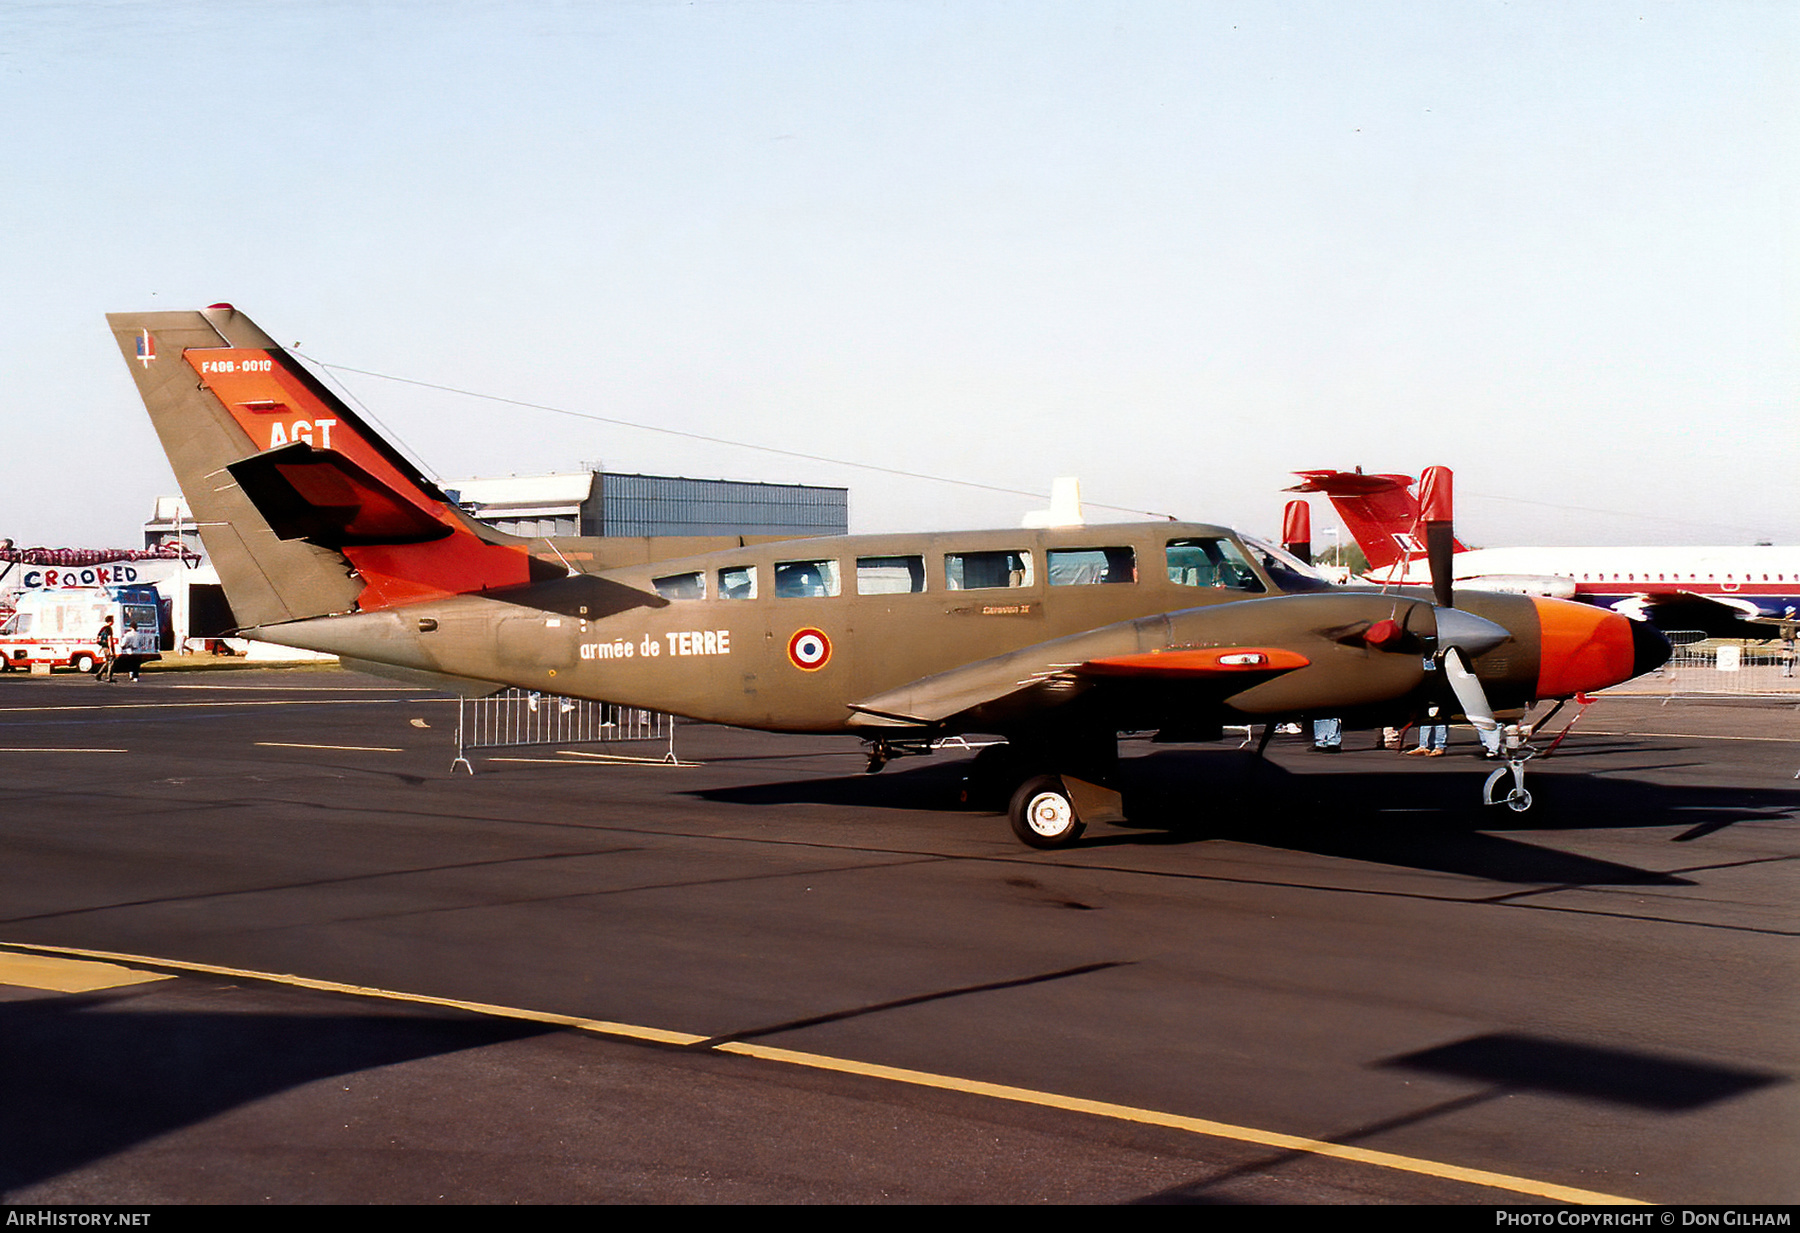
(1057, 640)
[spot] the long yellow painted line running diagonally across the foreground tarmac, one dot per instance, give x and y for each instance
(919, 1079)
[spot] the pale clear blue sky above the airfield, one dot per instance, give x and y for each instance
(1174, 249)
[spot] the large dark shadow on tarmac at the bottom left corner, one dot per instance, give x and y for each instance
(85, 1077)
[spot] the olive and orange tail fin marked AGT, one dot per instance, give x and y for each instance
(303, 508)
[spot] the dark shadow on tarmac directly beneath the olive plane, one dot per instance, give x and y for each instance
(1369, 809)
